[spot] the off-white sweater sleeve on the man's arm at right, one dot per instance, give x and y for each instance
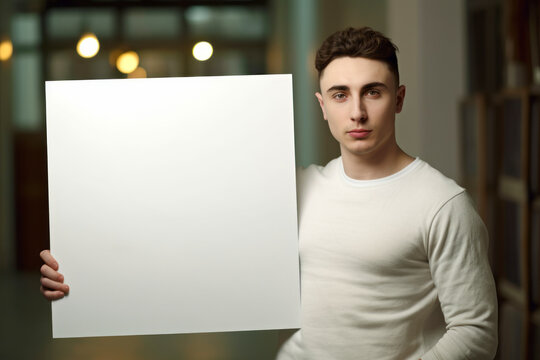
(457, 253)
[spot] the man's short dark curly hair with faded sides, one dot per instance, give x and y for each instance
(358, 42)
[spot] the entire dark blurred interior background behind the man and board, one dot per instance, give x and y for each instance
(472, 110)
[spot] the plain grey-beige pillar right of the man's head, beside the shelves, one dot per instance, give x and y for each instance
(431, 37)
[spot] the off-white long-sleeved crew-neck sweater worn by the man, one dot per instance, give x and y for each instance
(392, 268)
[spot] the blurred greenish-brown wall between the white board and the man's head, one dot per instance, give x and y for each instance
(299, 28)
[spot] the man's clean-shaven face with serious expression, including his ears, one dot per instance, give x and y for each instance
(360, 98)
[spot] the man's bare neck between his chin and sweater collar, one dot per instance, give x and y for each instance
(374, 165)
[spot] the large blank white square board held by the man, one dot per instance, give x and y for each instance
(173, 204)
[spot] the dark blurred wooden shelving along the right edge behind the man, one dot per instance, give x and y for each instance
(501, 34)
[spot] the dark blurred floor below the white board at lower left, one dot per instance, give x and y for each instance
(25, 333)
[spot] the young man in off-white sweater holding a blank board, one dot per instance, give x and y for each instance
(393, 254)
